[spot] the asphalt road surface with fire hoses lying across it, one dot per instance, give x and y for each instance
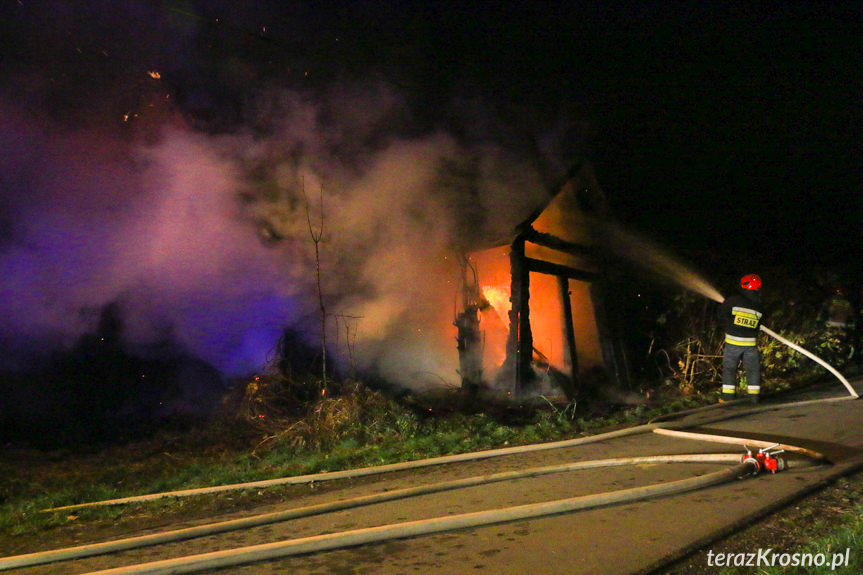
(621, 539)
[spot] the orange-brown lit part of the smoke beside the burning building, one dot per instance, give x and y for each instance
(395, 210)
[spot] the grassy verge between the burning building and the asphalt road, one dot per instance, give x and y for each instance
(357, 429)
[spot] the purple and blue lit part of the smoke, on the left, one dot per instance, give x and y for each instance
(157, 230)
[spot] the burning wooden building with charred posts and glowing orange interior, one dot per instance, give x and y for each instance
(534, 310)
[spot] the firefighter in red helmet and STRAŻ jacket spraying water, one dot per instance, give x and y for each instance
(741, 315)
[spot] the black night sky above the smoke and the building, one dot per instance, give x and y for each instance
(716, 119)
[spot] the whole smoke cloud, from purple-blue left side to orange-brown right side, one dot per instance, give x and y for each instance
(123, 196)
